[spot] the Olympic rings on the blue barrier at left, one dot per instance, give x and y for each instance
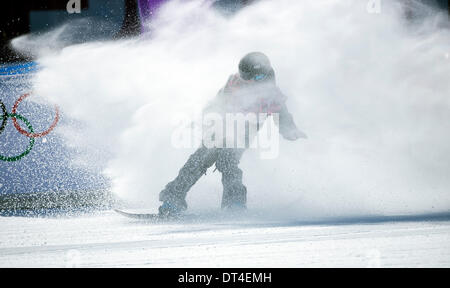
(30, 133)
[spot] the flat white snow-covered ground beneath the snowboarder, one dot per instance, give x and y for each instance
(108, 239)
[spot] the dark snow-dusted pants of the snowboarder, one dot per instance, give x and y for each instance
(227, 161)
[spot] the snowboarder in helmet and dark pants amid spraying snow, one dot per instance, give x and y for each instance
(253, 89)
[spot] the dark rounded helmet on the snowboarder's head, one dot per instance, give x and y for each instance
(255, 66)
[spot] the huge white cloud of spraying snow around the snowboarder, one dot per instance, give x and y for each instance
(370, 93)
